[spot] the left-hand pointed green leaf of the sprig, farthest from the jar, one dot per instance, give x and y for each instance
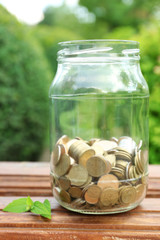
(17, 206)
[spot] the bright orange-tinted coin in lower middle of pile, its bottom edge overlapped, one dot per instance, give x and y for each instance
(108, 181)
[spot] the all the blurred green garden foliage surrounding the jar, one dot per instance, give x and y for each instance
(28, 64)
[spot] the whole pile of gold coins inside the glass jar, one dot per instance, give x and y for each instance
(98, 174)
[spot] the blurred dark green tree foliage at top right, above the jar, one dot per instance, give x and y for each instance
(123, 12)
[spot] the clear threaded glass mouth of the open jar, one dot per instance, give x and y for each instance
(99, 48)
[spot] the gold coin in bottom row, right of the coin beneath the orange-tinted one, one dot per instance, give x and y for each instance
(128, 195)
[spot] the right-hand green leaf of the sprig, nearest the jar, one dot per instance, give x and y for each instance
(40, 208)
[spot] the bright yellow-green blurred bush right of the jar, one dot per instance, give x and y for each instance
(149, 40)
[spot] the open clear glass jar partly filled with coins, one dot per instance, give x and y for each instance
(99, 127)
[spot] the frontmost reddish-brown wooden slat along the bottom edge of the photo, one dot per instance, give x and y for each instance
(71, 234)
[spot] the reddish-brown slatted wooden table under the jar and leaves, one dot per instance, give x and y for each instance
(22, 179)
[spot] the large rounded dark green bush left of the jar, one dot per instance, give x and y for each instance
(24, 80)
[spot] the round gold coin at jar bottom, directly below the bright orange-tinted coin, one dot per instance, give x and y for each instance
(109, 197)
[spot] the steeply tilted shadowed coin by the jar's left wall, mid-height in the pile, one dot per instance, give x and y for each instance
(63, 166)
